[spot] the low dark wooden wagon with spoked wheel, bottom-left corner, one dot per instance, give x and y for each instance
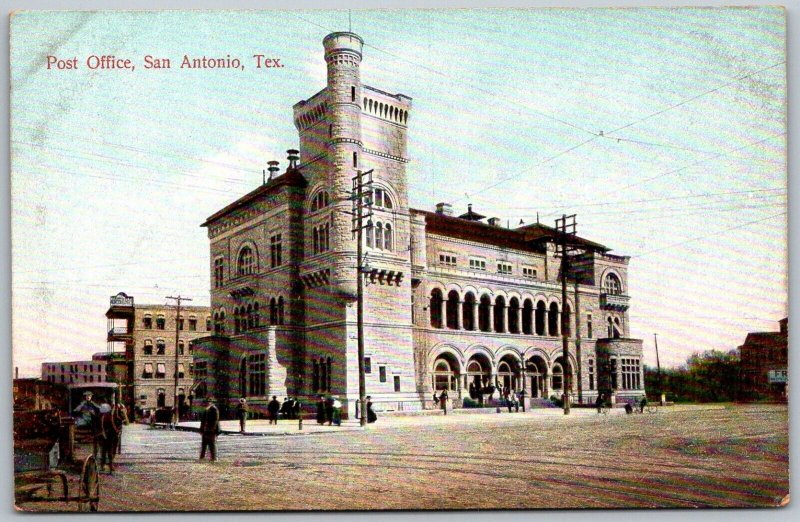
(54, 486)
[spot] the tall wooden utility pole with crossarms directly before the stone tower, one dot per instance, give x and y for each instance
(361, 197)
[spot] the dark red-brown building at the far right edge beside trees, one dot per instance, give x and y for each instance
(764, 364)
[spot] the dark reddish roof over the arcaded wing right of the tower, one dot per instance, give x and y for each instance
(531, 237)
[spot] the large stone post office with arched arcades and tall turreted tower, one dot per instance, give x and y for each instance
(450, 302)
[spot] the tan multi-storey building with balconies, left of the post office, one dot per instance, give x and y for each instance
(141, 354)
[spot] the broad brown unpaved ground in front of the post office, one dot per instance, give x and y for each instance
(735, 456)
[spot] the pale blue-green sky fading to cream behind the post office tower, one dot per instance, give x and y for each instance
(662, 129)
